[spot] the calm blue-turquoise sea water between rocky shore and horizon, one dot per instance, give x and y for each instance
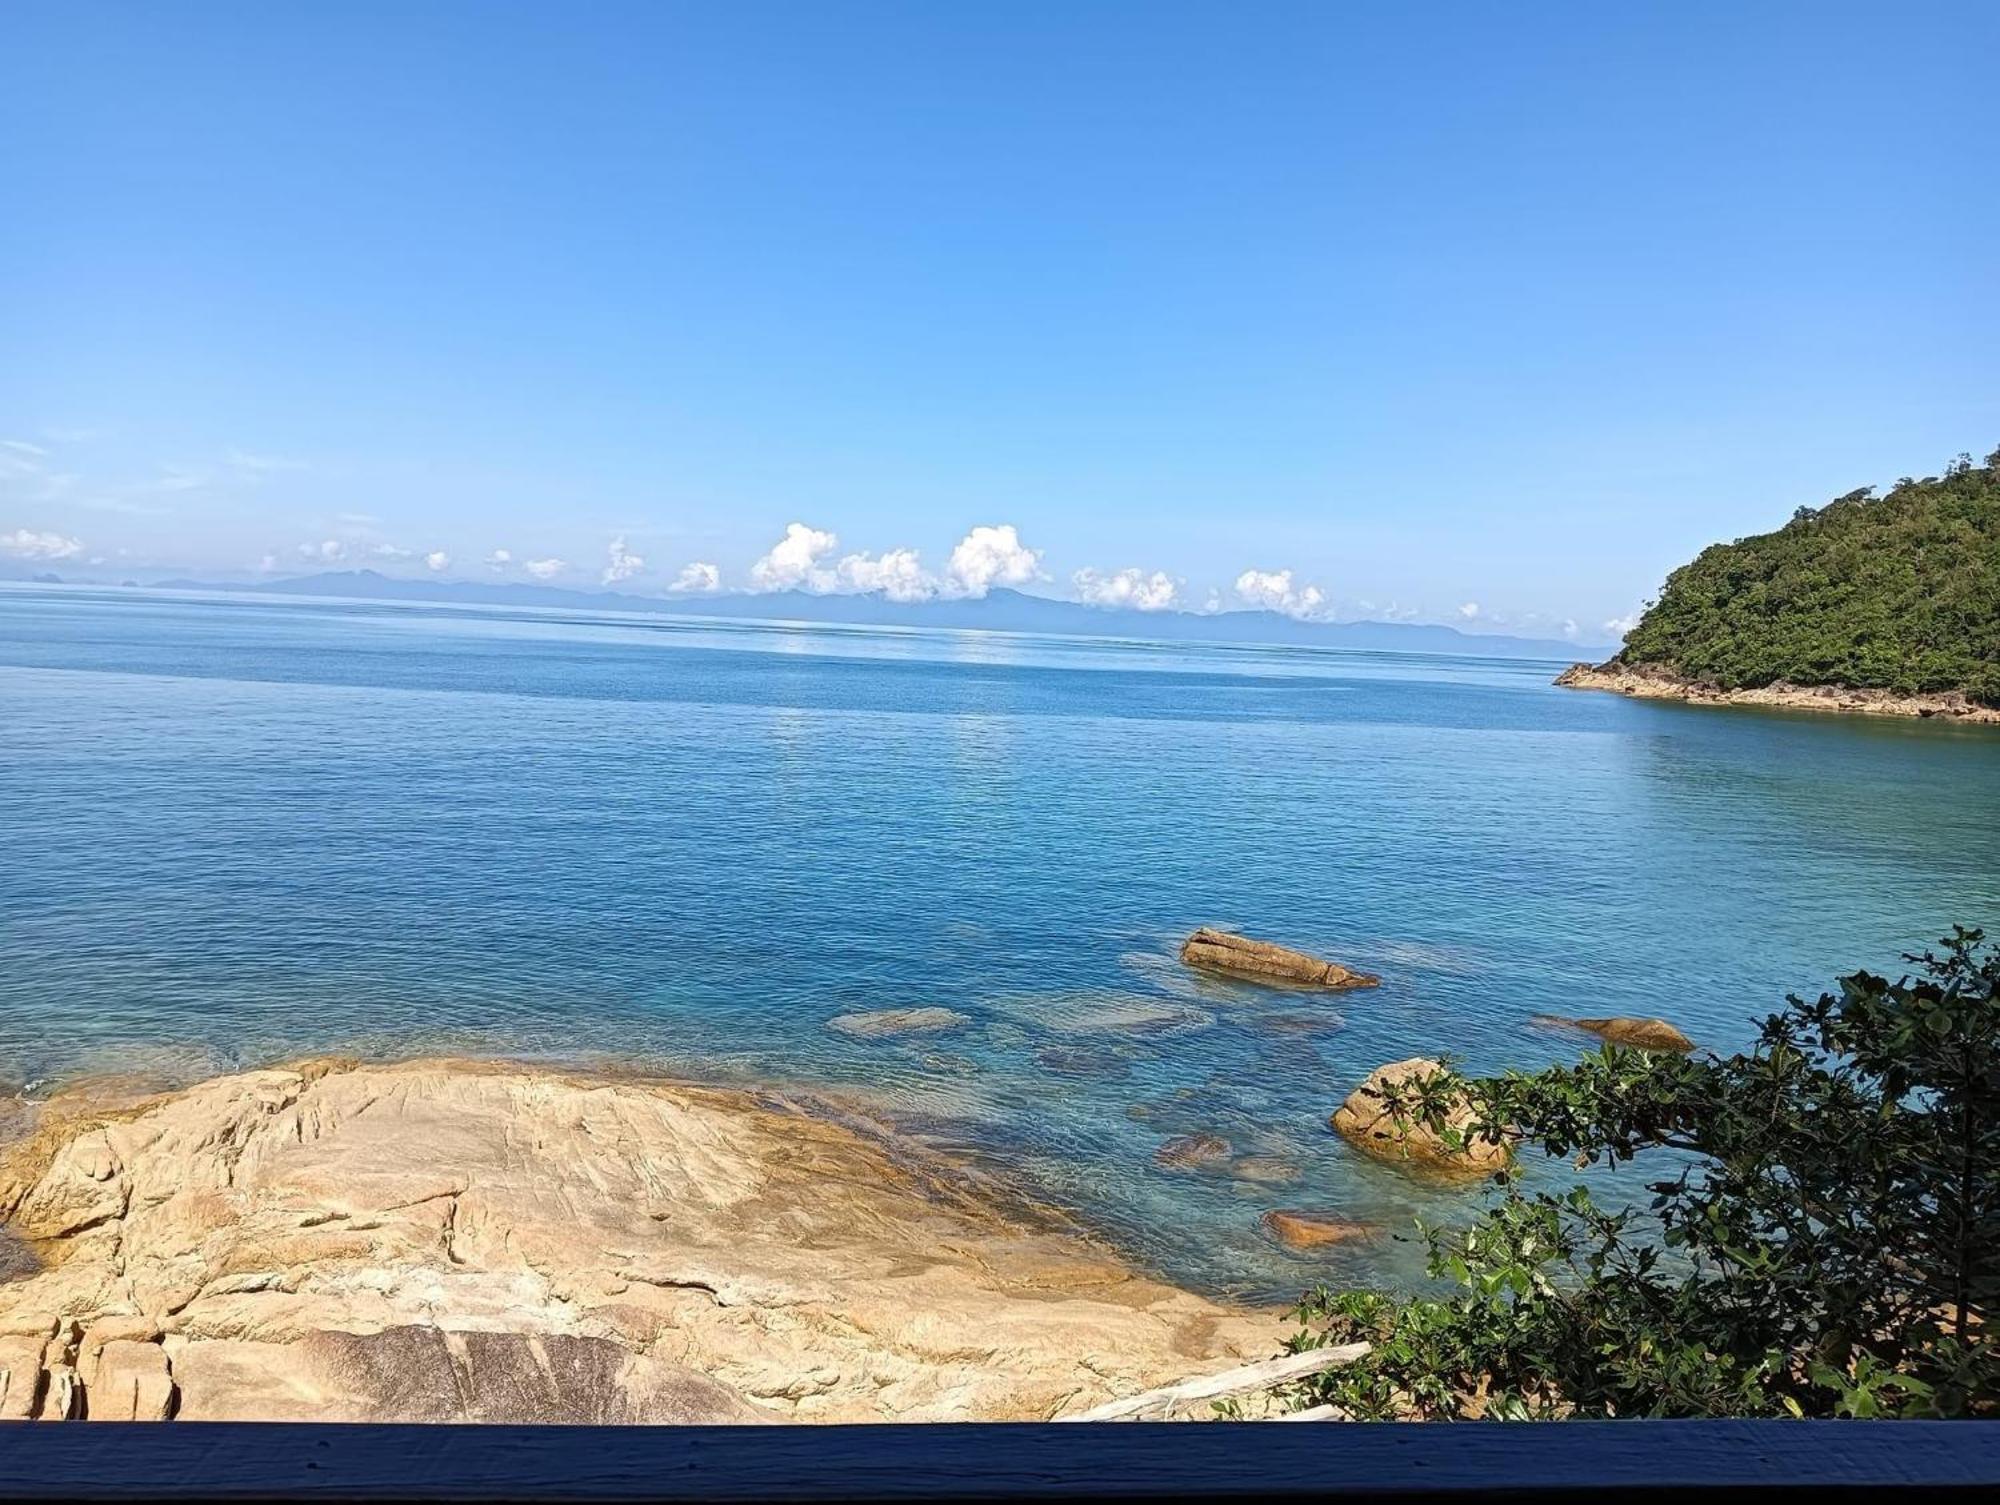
(241, 830)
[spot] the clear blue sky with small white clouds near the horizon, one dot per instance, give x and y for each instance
(1467, 313)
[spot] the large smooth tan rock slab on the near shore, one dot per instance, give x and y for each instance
(505, 1244)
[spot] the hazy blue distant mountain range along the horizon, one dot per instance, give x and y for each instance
(997, 611)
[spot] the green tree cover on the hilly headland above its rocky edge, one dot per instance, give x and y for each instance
(1897, 593)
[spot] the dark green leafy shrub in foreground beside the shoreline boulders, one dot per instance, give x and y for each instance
(1825, 1240)
